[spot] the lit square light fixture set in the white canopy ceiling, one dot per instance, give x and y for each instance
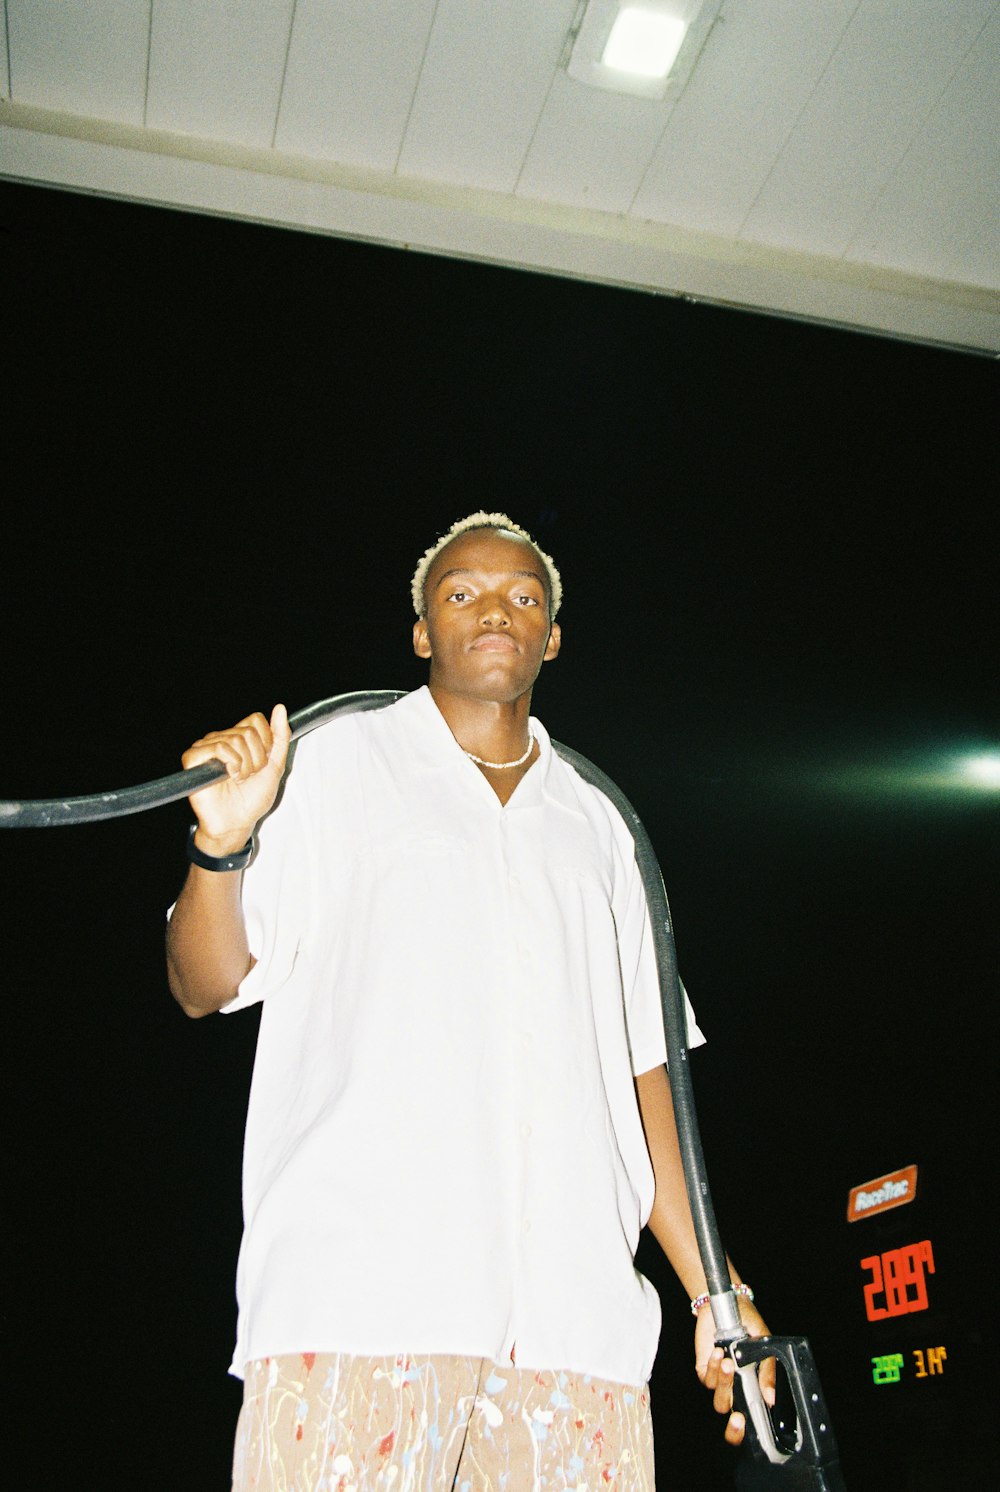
(647, 48)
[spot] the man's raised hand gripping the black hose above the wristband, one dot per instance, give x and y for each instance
(254, 756)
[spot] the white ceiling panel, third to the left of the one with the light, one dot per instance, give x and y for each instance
(216, 69)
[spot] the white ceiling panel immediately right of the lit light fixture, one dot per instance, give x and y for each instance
(759, 69)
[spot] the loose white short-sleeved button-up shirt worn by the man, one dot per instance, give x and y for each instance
(444, 1150)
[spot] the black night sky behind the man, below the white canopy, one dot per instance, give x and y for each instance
(226, 447)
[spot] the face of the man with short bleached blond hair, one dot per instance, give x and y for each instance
(487, 627)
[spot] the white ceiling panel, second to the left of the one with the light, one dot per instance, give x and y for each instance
(353, 69)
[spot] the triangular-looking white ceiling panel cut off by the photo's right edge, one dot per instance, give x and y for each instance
(941, 214)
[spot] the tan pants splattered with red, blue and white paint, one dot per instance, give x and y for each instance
(331, 1423)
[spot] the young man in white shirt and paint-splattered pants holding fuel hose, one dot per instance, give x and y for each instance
(460, 1118)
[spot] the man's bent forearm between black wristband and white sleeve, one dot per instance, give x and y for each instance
(208, 954)
